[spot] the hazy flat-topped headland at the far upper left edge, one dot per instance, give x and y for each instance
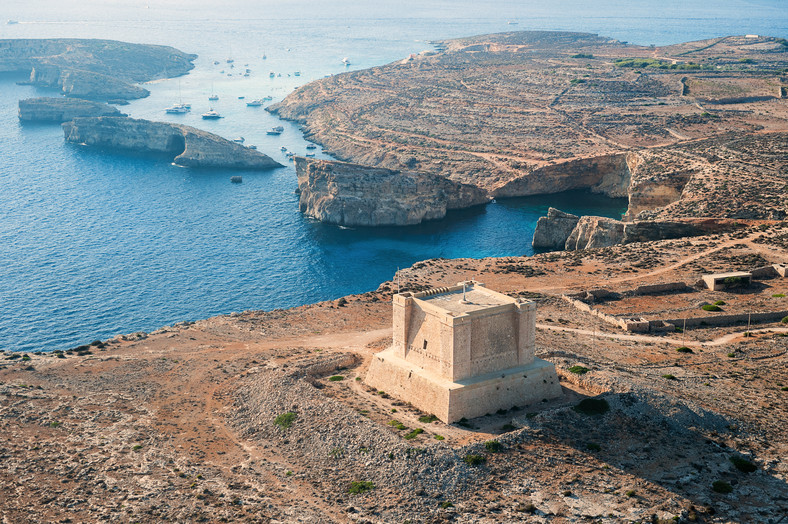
(93, 69)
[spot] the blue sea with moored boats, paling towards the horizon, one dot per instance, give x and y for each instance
(95, 244)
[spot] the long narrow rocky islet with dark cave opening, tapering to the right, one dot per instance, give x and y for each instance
(186, 145)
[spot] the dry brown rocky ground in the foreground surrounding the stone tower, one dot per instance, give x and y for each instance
(260, 416)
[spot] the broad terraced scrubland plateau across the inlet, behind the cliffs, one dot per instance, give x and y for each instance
(692, 130)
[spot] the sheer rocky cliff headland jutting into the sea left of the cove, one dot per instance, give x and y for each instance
(355, 195)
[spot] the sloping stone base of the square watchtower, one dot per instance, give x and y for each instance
(473, 397)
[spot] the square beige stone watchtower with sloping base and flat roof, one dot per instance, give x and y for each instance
(463, 351)
